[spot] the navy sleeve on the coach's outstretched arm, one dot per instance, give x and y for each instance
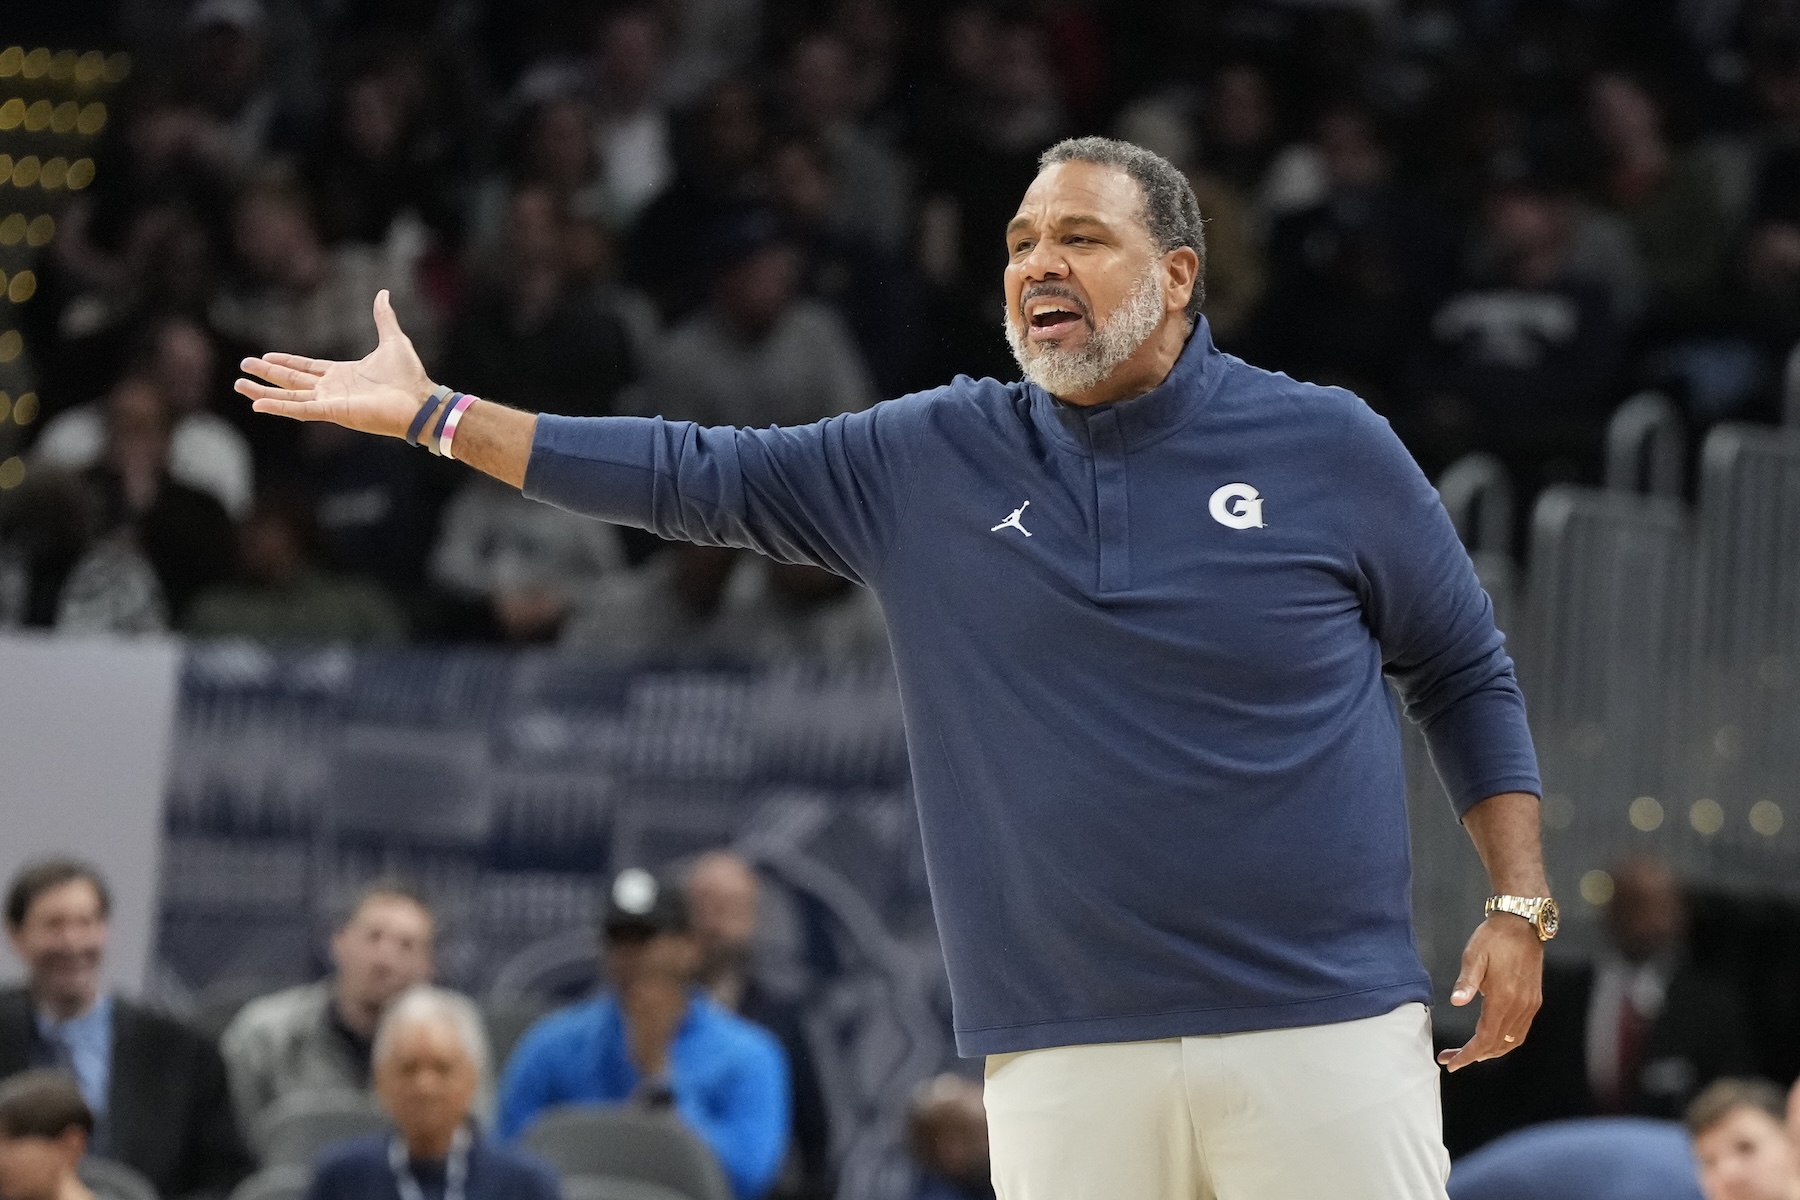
(827, 494)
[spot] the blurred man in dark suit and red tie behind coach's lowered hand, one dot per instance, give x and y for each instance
(1639, 1032)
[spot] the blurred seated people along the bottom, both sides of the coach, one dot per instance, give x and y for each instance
(692, 1068)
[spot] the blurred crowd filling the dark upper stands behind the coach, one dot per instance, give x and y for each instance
(1495, 220)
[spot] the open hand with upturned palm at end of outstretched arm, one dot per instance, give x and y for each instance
(375, 395)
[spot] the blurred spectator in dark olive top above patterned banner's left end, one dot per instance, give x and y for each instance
(285, 596)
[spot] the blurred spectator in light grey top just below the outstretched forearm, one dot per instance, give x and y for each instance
(523, 562)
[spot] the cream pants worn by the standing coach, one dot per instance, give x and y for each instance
(1322, 1113)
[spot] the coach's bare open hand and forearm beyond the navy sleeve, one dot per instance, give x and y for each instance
(382, 393)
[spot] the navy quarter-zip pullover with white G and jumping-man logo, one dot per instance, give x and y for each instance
(1140, 654)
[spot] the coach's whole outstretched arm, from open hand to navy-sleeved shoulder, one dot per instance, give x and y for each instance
(827, 494)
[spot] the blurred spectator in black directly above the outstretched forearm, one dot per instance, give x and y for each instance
(530, 334)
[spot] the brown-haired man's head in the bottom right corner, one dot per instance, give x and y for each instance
(1741, 1142)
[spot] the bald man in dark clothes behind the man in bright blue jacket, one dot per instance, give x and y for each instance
(724, 899)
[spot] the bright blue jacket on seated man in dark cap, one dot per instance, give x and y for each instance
(730, 1080)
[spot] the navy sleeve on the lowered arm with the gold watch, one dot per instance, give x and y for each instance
(1434, 622)
